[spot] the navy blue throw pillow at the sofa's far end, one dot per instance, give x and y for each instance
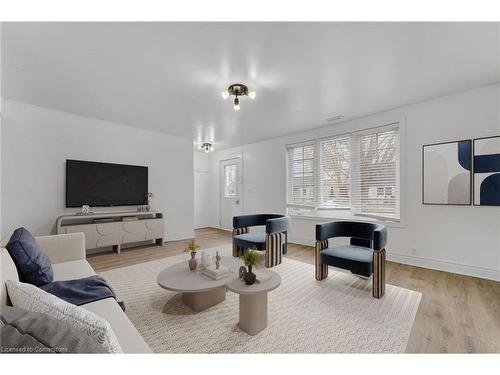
(32, 264)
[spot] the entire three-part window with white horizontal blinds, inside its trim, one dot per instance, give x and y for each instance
(357, 173)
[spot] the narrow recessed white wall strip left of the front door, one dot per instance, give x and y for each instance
(201, 190)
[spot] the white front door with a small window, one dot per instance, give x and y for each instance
(230, 191)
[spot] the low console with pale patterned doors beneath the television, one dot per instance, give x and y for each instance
(146, 226)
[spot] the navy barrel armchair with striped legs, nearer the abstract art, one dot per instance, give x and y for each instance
(364, 256)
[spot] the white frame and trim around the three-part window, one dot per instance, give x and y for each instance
(318, 212)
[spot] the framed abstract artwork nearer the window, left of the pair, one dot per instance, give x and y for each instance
(447, 173)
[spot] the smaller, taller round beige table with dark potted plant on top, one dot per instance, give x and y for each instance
(253, 301)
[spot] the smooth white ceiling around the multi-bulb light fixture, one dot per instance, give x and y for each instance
(168, 76)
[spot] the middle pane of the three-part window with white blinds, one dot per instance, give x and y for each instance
(335, 173)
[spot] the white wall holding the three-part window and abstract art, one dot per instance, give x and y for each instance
(457, 239)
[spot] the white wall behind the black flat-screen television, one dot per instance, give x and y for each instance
(36, 141)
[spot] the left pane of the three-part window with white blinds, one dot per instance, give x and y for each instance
(301, 175)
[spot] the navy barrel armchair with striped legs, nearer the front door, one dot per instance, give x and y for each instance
(273, 241)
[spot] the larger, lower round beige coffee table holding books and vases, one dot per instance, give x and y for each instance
(199, 292)
